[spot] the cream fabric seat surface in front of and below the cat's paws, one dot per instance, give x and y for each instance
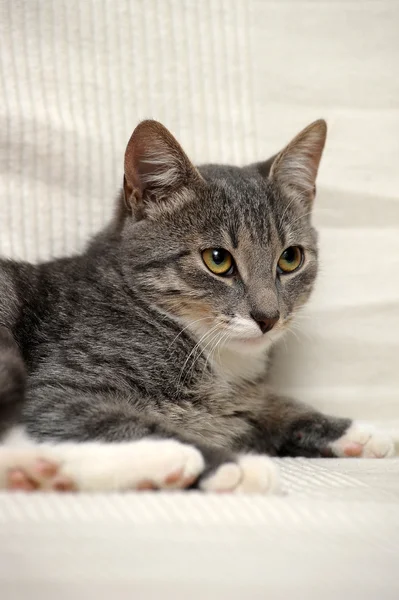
(334, 536)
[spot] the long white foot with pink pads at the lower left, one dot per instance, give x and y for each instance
(94, 466)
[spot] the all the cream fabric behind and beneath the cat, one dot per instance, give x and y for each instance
(234, 80)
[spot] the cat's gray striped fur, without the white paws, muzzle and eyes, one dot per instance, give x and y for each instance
(108, 340)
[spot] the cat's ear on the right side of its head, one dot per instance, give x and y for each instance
(295, 168)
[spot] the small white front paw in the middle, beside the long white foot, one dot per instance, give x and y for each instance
(250, 474)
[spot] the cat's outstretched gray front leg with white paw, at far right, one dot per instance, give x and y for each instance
(298, 430)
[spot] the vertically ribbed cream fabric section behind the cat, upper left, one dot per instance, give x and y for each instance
(76, 79)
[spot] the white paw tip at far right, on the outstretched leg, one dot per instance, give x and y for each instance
(363, 441)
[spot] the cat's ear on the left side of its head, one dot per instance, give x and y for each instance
(155, 167)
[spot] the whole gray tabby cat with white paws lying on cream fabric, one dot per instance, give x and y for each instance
(142, 363)
